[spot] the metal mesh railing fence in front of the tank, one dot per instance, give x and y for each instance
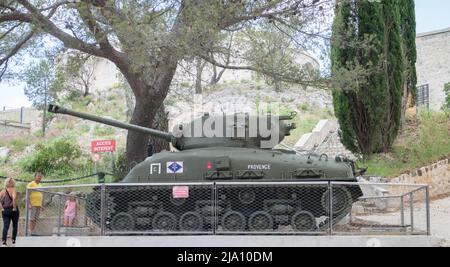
(223, 208)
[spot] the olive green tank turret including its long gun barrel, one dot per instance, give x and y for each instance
(237, 130)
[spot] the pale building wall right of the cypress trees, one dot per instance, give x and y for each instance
(433, 64)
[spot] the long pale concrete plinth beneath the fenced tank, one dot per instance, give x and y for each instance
(230, 241)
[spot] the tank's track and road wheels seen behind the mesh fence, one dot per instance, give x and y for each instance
(248, 208)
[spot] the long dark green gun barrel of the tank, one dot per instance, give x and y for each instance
(156, 133)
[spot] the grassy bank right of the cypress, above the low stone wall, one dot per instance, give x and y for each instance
(425, 139)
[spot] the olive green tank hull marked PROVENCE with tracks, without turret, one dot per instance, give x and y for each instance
(254, 190)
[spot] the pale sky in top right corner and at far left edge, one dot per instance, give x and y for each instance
(430, 14)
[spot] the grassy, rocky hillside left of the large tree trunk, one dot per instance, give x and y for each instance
(65, 150)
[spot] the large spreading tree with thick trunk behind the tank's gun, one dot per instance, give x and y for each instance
(146, 39)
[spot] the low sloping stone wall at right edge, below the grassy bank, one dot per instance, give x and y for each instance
(436, 175)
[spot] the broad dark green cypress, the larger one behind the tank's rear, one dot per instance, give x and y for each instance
(367, 34)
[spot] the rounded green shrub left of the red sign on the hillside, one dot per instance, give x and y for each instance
(56, 156)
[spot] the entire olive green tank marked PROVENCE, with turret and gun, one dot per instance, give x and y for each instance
(266, 200)
